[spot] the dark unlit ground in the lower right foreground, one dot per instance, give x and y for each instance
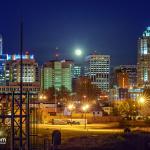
(134, 141)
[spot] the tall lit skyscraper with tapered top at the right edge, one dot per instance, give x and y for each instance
(143, 64)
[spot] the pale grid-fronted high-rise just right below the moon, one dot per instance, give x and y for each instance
(98, 69)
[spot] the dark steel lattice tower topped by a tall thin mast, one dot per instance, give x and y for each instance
(20, 124)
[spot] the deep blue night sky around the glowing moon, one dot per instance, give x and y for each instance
(106, 26)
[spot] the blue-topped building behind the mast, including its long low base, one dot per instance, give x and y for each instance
(31, 79)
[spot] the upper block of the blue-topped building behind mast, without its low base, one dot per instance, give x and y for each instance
(29, 65)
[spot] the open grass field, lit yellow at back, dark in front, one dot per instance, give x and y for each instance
(94, 138)
